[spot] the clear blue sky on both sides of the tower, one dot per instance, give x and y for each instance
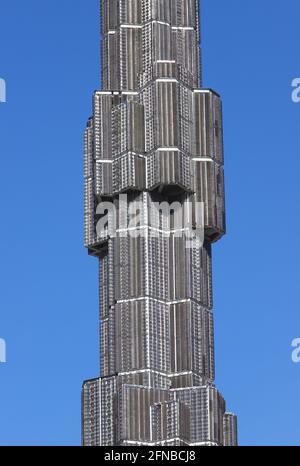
(48, 298)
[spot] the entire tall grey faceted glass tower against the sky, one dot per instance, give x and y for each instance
(154, 141)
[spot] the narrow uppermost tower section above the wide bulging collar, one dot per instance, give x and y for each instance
(146, 39)
